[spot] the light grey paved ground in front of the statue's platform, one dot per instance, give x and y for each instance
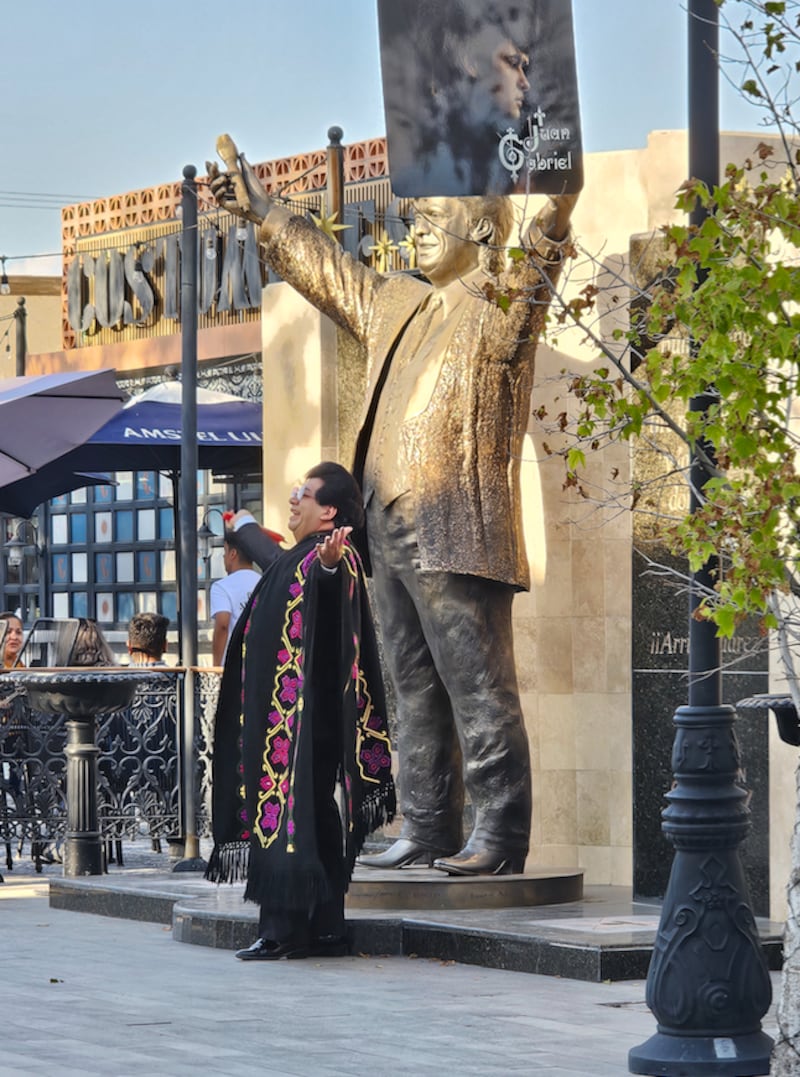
(92, 996)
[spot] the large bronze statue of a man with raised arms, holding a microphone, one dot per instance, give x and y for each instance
(450, 384)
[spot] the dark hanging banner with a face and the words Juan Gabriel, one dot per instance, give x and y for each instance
(481, 97)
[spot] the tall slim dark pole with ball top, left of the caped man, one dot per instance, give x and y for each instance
(188, 514)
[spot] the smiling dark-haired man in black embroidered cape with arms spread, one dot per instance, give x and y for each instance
(302, 708)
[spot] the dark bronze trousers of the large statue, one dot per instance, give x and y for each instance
(450, 648)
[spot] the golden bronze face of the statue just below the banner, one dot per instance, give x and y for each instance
(444, 249)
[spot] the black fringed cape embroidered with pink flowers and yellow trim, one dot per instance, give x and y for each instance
(303, 653)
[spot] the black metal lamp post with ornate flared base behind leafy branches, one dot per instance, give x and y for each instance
(709, 984)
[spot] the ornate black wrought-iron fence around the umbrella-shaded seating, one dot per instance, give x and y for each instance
(141, 786)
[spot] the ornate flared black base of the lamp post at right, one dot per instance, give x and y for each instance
(709, 985)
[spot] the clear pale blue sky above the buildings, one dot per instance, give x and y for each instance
(99, 99)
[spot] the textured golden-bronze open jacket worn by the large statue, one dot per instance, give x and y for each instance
(465, 447)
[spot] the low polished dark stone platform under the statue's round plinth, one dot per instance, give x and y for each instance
(603, 938)
